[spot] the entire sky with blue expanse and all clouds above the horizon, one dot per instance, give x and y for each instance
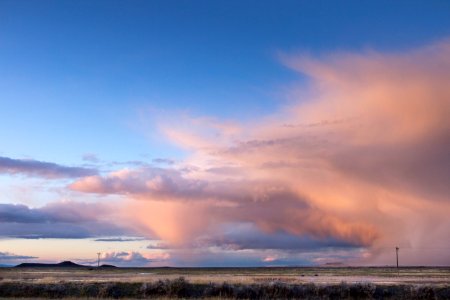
(225, 133)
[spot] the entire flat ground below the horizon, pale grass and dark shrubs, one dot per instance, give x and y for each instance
(244, 283)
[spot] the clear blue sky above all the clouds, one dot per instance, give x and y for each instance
(79, 72)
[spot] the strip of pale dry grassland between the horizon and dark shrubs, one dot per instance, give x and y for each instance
(436, 276)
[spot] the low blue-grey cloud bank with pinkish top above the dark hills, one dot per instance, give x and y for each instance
(66, 219)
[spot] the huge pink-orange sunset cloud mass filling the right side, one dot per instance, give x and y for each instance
(358, 159)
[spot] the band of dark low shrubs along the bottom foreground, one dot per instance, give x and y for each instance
(180, 288)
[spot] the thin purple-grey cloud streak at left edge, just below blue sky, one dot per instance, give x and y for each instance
(37, 168)
